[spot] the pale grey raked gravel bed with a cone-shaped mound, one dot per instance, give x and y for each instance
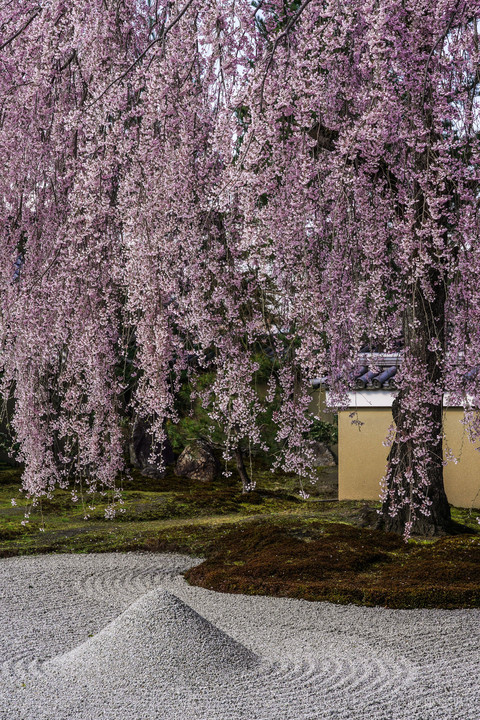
(123, 637)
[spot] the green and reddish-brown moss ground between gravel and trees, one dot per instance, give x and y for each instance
(270, 542)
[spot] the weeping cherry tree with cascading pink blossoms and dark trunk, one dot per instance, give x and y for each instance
(187, 183)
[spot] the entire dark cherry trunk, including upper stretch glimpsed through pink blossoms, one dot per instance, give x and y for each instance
(425, 344)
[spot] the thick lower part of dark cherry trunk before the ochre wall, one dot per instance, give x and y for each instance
(425, 322)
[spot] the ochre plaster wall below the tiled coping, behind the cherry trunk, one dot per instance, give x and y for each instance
(362, 457)
